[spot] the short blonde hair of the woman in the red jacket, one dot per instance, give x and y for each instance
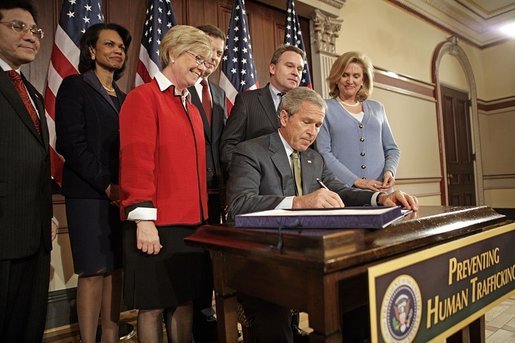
(182, 38)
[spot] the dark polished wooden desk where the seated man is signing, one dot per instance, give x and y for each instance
(320, 271)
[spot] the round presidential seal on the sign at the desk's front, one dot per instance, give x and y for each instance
(401, 310)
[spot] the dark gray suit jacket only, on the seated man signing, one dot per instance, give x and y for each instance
(261, 177)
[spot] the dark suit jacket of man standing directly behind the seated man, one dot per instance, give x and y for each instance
(253, 115)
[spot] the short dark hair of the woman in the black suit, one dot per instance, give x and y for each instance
(89, 39)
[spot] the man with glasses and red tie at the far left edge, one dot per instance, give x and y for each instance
(26, 226)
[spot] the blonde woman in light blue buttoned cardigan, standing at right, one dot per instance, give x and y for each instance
(355, 139)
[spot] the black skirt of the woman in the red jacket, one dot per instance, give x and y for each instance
(167, 279)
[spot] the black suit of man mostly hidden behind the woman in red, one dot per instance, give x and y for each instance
(215, 184)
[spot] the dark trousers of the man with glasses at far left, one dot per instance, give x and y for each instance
(24, 297)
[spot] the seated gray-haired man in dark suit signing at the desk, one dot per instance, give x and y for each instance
(261, 178)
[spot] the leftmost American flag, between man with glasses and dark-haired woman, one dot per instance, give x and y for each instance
(76, 17)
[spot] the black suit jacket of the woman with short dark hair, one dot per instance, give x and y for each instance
(88, 139)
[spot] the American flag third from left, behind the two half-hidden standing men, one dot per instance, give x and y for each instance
(238, 70)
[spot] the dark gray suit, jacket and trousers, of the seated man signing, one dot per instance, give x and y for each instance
(259, 179)
